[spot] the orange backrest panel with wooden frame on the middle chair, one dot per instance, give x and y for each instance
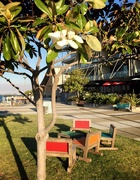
(92, 139)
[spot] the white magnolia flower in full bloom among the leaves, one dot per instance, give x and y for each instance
(64, 38)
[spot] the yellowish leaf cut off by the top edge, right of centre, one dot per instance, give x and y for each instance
(97, 4)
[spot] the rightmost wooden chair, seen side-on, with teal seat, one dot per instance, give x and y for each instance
(107, 140)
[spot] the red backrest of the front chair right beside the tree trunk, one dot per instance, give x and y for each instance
(56, 145)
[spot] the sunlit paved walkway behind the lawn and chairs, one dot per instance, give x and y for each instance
(127, 123)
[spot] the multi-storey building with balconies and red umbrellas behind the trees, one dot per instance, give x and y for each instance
(117, 74)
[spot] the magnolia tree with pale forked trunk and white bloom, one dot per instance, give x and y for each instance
(54, 27)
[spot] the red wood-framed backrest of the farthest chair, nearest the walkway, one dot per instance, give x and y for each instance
(81, 124)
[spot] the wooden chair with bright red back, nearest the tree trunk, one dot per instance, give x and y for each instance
(62, 147)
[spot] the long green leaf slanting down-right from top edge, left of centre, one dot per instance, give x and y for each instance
(43, 8)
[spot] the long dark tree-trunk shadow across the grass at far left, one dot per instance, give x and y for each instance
(18, 118)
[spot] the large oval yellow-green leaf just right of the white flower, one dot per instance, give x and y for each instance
(93, 42)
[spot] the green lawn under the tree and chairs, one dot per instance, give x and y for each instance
(18, 155)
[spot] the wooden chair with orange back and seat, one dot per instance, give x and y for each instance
(92, 140)
